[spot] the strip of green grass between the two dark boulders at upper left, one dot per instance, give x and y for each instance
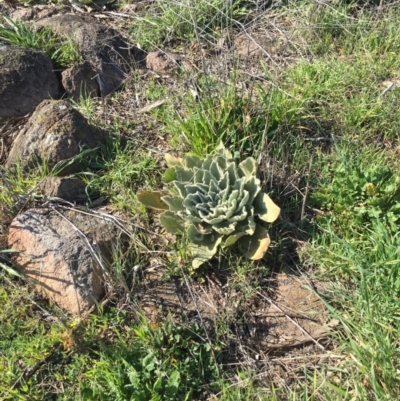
(63, 52)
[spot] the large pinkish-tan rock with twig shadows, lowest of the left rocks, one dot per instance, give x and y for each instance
(59, 259)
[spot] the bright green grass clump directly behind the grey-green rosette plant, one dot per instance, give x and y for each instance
(240, 119)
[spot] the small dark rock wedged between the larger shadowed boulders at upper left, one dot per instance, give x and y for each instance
(80, 80)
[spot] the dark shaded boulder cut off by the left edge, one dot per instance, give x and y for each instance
(26, 78)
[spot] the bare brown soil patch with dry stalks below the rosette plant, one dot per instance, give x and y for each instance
(285, 322)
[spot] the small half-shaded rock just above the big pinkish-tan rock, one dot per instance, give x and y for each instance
(71, 189)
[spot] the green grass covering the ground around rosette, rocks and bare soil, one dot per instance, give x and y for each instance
(326, 135)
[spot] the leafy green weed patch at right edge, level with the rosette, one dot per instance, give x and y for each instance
(357, 192)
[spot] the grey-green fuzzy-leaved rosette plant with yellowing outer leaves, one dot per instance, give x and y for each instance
(216, 202)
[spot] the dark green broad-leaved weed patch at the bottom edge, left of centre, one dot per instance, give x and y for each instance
(166, 362)
